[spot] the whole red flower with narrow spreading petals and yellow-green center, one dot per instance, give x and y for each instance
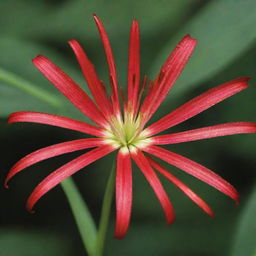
(125, 130)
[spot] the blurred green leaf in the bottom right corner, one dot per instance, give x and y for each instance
(245, 240)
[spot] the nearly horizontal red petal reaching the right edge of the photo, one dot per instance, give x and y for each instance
(206, 133)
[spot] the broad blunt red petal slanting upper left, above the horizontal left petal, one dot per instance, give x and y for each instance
(69, 89)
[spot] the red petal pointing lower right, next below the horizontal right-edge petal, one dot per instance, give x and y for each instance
(194, 169)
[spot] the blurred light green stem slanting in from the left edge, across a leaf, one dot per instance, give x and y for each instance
(20, 83)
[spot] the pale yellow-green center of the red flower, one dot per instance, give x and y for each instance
(126, 133)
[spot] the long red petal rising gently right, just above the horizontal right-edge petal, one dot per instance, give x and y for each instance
(199, 104)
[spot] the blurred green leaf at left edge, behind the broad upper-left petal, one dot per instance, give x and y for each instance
(16, 55)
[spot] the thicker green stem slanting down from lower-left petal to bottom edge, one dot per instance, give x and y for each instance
(83, 218)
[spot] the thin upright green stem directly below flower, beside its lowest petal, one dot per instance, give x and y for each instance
(105, 213)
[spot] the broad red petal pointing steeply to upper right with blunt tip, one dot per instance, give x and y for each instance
(167, 76)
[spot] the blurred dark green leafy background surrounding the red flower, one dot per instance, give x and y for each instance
(226, 49)
